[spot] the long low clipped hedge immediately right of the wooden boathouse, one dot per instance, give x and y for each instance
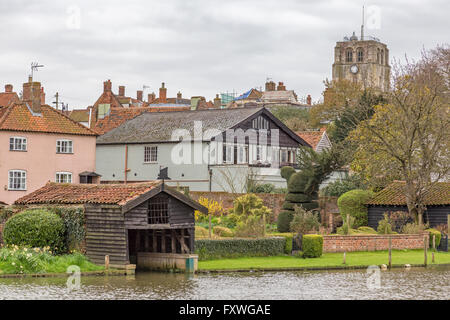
(208, 249)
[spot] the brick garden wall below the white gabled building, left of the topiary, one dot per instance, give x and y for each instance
(273, 201)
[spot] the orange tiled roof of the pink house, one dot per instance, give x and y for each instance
(18, 117)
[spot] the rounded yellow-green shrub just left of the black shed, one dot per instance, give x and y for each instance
(354, 203)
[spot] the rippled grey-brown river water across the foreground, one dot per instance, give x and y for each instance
(416, 283)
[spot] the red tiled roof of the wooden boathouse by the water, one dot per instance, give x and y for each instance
(67, 193)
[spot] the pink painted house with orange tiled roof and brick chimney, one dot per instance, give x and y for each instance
(40, 144)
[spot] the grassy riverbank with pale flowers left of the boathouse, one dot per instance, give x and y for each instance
(15, 260)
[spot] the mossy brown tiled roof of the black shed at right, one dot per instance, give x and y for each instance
(394, 194)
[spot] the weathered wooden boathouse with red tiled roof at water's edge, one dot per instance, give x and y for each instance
(146, 224)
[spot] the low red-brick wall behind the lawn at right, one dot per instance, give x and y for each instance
(372, 242)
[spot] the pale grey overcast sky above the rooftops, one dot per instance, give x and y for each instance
(200, 47)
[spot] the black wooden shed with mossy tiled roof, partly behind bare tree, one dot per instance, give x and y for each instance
(392, 198)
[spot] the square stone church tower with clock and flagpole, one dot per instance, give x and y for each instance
(364, 60)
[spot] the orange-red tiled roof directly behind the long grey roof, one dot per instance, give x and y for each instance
(117, 116)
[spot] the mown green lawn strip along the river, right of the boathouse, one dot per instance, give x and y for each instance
(327, 260)
